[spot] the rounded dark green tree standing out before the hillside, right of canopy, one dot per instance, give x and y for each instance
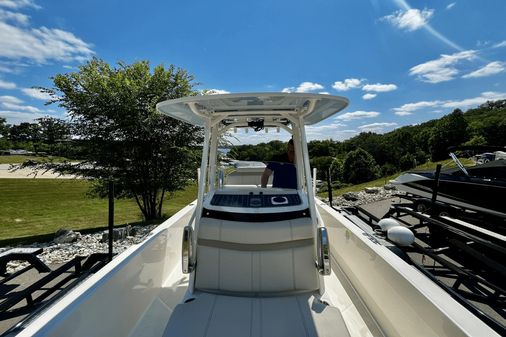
(359, 166)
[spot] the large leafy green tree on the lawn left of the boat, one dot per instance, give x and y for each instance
(122, 137)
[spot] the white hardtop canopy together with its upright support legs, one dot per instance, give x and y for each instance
(219, 113)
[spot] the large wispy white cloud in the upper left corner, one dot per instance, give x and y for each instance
(18, 40)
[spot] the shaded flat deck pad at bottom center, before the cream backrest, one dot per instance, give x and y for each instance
(215, 315)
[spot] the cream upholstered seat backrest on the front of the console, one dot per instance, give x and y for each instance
(256, 257)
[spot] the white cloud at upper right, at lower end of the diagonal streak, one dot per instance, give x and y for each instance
(442, 69)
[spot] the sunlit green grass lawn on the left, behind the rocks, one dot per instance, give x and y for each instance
(30, 207)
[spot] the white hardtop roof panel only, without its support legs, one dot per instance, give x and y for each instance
(239, 108)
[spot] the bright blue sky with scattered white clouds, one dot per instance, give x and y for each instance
(399, 62)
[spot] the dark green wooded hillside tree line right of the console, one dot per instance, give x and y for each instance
(369, 155)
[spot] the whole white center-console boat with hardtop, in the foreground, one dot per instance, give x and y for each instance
(243, 260)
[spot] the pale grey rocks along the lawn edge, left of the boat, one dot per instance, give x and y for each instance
(68, 244)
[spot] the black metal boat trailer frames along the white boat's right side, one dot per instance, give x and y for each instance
(465, 260)
